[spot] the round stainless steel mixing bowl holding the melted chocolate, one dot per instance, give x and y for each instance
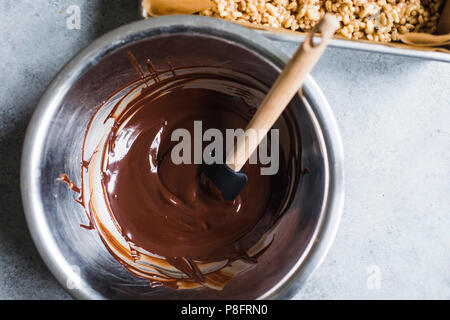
(53, 144)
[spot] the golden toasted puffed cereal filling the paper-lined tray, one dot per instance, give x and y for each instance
(376, 20)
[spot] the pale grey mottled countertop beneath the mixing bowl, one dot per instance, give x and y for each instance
(394, 117)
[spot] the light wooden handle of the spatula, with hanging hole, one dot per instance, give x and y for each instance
(285, 87)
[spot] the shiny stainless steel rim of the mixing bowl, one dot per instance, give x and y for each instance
(318, 108)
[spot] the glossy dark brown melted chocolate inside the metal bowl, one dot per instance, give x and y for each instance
(164, 208)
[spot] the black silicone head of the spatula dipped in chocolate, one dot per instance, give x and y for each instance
(226, 180)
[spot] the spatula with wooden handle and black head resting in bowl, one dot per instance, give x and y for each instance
(227, 177)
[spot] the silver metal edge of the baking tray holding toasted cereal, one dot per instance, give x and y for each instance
(348, 44)
